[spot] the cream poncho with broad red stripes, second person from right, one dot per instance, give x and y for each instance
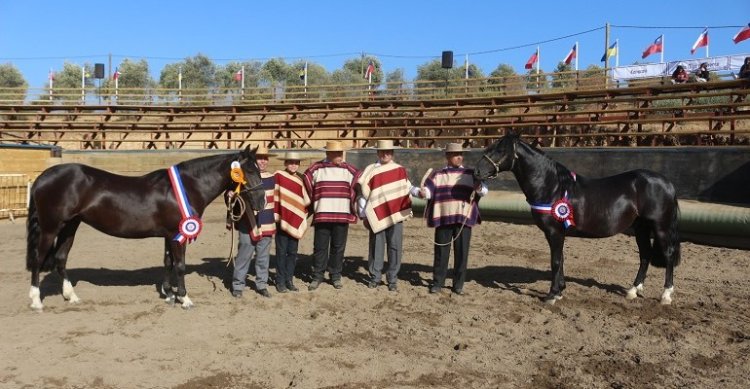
(386, 189)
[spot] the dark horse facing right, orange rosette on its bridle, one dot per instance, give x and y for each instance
(65, 195)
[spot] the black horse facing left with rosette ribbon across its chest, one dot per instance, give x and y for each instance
(563, 202)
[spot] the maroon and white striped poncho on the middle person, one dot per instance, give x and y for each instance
(331, 188)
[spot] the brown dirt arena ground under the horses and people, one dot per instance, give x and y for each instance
(498, 334)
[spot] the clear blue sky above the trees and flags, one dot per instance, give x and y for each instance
(38, 35)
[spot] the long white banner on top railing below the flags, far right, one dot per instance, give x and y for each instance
(649, 70)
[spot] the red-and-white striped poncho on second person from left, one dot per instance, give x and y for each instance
(291, 201)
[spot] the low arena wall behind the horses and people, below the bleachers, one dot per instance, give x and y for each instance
(713, 174)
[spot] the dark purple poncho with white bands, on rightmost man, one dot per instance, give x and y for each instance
(451, 189)
